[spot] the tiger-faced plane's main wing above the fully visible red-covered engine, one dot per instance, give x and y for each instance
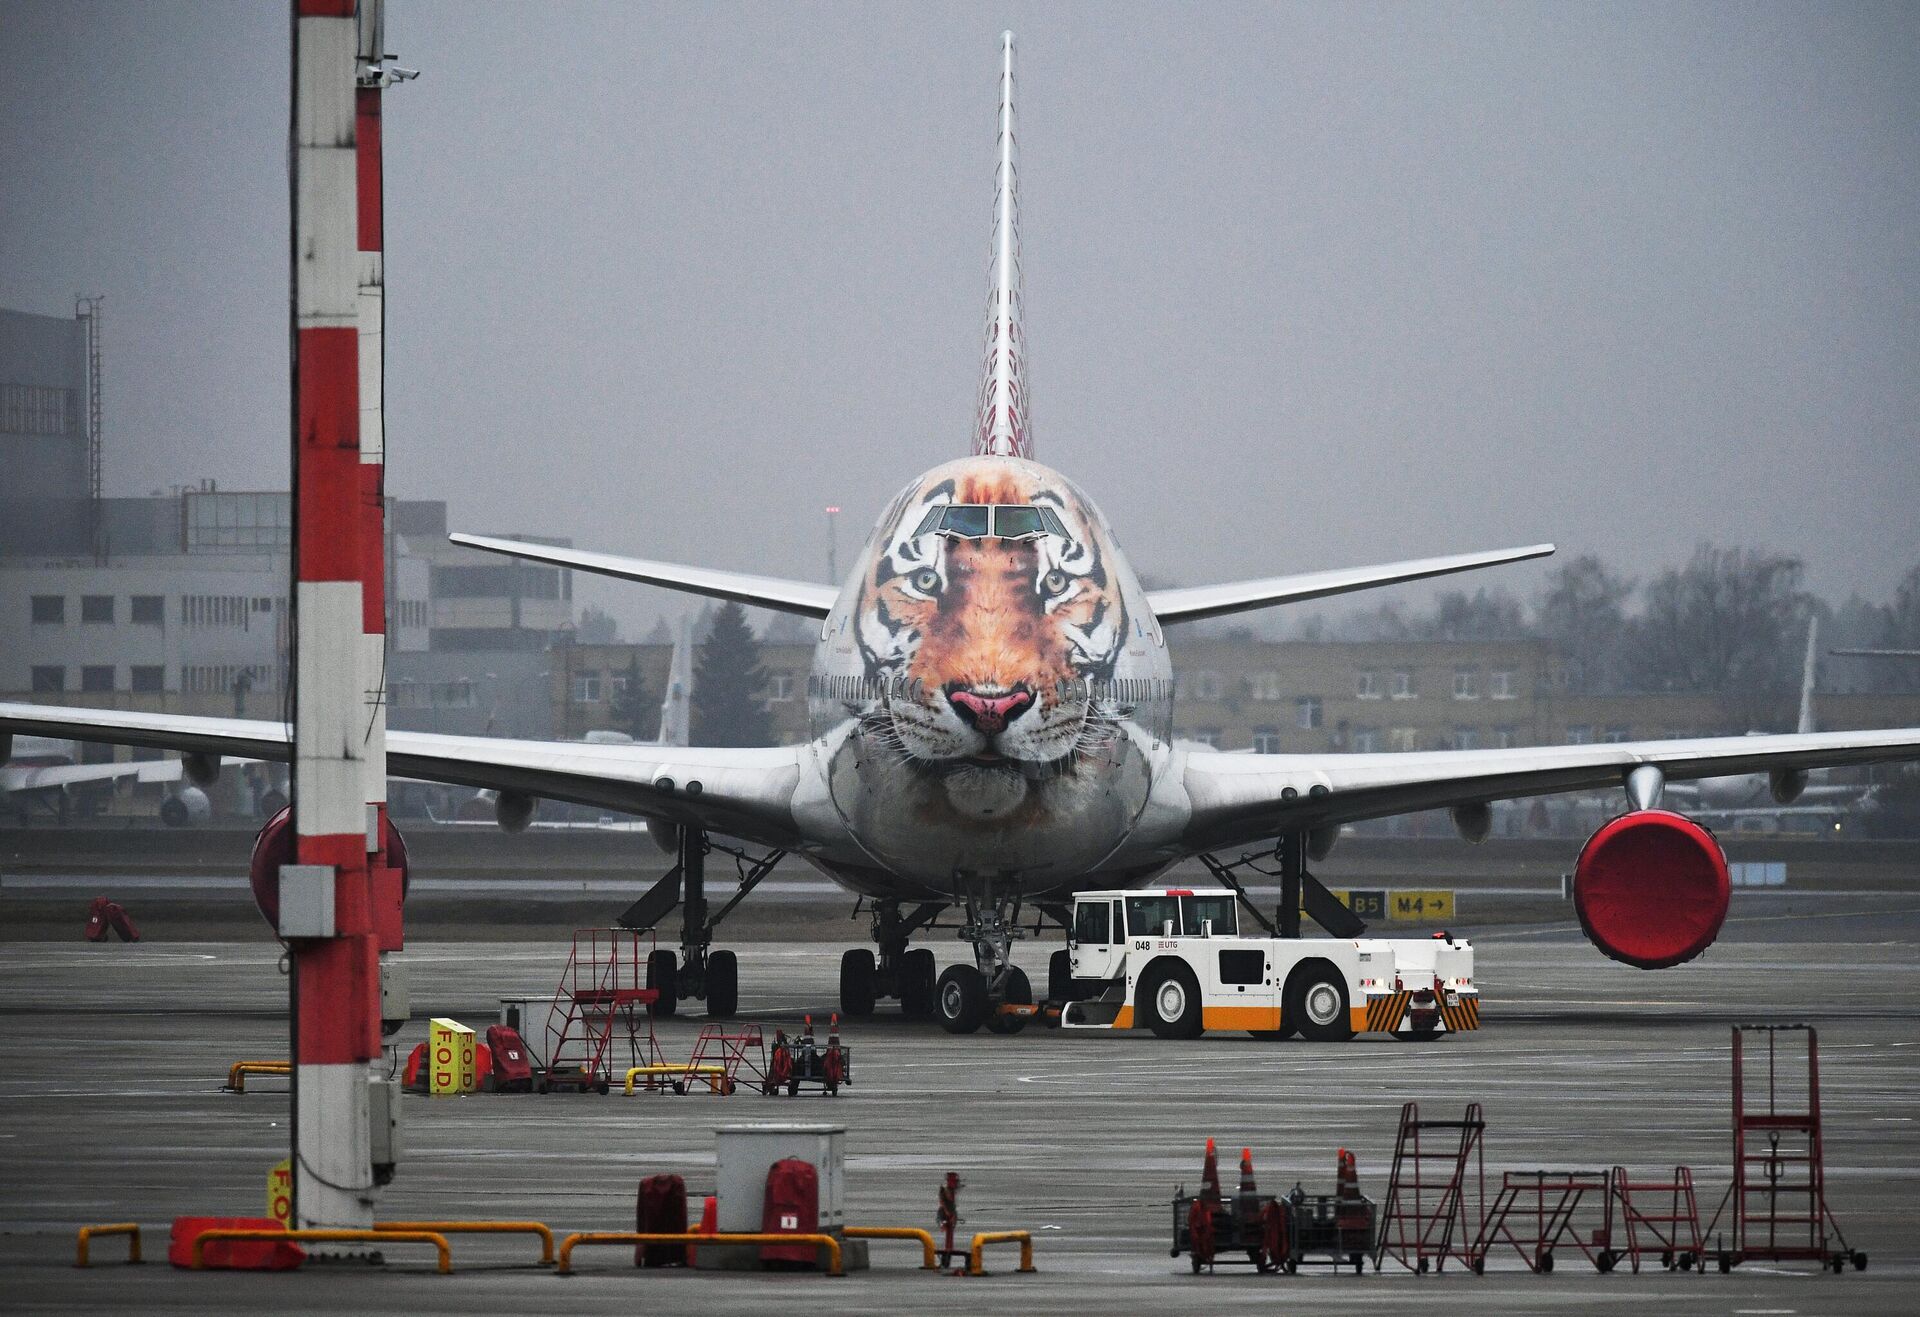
(1245, 800)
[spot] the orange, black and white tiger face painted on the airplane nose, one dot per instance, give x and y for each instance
(988, 621)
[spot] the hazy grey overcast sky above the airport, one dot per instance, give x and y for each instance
(1307, 285)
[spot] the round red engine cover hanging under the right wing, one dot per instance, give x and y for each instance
(1652, 890)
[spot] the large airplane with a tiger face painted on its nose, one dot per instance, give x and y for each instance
(992, 711)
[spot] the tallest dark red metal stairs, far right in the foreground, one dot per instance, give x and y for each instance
(1777, 1205)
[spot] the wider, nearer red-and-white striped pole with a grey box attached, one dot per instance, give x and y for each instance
(335, 961)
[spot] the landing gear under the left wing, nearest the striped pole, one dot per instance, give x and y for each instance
(700, 972)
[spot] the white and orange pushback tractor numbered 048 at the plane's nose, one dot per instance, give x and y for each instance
(1174, 961)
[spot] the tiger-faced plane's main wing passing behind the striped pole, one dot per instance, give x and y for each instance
(740, 792)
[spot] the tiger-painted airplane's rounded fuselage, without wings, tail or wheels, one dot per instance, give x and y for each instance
(992, 698)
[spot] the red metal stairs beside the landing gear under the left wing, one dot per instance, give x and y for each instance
(604, 992)
